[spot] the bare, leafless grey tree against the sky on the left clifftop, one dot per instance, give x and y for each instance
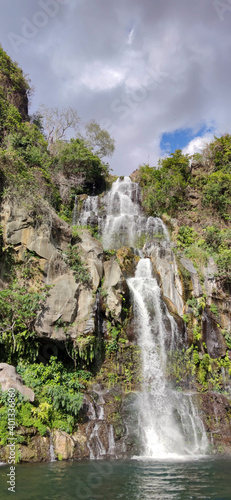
(56, 122)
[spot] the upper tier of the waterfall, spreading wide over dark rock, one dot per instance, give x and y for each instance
(120, 218)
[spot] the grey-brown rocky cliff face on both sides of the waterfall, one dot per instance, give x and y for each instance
(85, 302)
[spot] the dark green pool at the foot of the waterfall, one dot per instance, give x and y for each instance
(207, 478)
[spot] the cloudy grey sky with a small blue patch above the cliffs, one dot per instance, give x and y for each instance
(155, 73)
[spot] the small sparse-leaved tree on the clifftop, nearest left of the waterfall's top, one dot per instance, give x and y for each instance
(99, 140)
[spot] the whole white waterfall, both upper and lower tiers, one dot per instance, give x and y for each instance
(168, 424)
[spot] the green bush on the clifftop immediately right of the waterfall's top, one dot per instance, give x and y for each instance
(164, 188)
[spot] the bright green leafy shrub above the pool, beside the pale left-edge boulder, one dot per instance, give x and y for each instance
(58, 395)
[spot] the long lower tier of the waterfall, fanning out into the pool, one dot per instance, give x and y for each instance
(168, 424)
